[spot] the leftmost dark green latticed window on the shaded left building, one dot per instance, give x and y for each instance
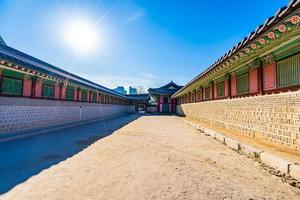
(11, 86)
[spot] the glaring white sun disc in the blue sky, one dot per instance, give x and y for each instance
(81, 36)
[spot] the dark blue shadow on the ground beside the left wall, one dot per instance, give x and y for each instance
(20, 159)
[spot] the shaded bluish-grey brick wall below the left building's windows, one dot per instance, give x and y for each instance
(26, 113)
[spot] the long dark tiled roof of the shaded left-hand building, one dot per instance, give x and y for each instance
(16, 57)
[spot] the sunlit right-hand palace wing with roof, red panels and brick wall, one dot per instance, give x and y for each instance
(253, 89)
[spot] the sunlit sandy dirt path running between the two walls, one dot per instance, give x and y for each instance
(155, 157)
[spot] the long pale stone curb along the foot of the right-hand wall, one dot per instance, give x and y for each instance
(284, 166)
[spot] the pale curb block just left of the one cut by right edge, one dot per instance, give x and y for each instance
(276, 162)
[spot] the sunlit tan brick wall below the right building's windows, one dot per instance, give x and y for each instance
(274, 118)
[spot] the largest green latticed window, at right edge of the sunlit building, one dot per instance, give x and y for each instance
(288, 71)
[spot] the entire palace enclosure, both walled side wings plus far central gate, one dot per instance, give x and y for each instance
(252, 90)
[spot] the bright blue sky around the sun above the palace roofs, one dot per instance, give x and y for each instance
(144, 43)
